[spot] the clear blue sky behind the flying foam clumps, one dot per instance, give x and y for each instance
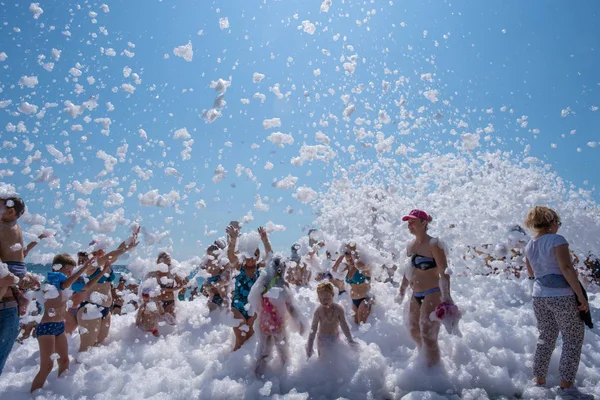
(535, 60)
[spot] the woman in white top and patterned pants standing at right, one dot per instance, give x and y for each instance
(558, 299)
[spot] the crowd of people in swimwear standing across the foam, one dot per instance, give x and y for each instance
(257, 287)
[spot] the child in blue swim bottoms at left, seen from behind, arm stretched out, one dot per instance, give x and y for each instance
(50, 331)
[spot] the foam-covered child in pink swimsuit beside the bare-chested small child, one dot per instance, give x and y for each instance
(273, 300)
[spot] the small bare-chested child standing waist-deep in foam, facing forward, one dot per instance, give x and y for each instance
(328, 318)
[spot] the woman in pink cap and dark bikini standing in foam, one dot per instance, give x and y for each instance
(429, 282)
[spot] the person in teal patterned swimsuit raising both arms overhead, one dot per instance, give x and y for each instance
(248, 267)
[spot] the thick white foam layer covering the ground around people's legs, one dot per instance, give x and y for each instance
(194, 359)
